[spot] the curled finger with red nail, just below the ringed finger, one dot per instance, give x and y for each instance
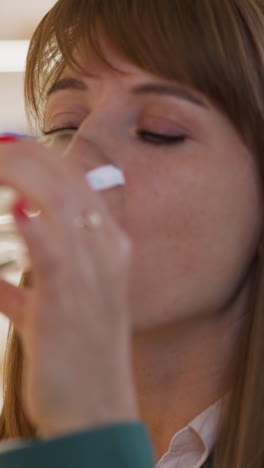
(54, 262)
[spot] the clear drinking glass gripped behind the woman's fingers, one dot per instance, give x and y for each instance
(13, 251)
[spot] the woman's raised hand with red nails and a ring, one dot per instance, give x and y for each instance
(74, 324)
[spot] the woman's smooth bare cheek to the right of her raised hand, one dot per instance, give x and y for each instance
(195, 231)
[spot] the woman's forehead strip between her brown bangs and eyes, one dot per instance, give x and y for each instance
(115, 64)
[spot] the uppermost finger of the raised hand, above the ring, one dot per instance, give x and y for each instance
(42, 179)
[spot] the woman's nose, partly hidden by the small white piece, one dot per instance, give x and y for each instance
(85, 155)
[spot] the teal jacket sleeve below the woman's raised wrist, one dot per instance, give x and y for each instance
(116, 446)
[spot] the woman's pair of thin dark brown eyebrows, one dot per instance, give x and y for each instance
(148, 88)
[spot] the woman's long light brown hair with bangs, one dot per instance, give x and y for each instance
(217, 48)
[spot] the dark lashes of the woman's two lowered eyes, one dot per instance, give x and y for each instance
(143, 135)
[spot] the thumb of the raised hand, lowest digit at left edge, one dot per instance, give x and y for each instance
(14, 302)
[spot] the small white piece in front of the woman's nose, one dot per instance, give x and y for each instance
(105, 177)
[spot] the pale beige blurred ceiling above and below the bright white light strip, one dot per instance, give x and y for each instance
(17, 22)
